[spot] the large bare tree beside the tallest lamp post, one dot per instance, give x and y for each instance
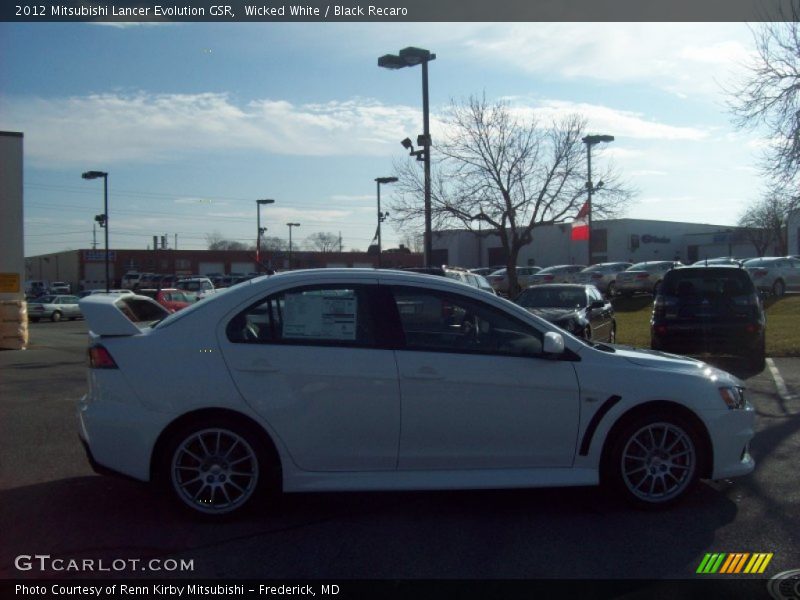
(498, 174)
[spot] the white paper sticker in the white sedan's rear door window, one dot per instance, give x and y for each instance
(330, 315)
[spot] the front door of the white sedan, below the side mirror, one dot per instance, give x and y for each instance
(476, 390)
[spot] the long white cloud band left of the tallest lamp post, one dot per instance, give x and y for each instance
(146, 128)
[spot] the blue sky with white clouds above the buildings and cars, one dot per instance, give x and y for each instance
(195, 121)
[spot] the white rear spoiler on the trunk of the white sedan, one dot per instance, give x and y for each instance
(121, 315)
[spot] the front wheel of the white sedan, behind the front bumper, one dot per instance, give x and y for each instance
(653, 461)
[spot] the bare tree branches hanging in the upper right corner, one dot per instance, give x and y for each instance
(770, 96)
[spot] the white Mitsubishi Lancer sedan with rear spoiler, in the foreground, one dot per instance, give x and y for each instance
(351, 379)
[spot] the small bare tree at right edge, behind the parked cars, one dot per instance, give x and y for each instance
(766, 219)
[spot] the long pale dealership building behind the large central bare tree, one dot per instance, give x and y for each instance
(631, 240)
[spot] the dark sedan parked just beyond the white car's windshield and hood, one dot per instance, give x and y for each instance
(577, 308)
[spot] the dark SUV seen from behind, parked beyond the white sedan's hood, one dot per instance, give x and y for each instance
(713, 309)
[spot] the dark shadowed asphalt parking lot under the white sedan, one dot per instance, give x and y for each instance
(52, 503)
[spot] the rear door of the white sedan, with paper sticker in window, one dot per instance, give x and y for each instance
(308, 360)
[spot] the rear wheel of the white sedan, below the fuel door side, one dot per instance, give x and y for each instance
(215, 467)
